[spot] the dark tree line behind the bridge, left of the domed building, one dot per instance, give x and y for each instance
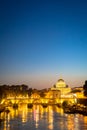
(16, 90)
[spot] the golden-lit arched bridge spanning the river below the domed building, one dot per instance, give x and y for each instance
(26, 100)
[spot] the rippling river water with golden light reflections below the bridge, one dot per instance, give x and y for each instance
(39, 118)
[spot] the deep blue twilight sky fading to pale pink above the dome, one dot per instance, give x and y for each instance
(42, 41)
